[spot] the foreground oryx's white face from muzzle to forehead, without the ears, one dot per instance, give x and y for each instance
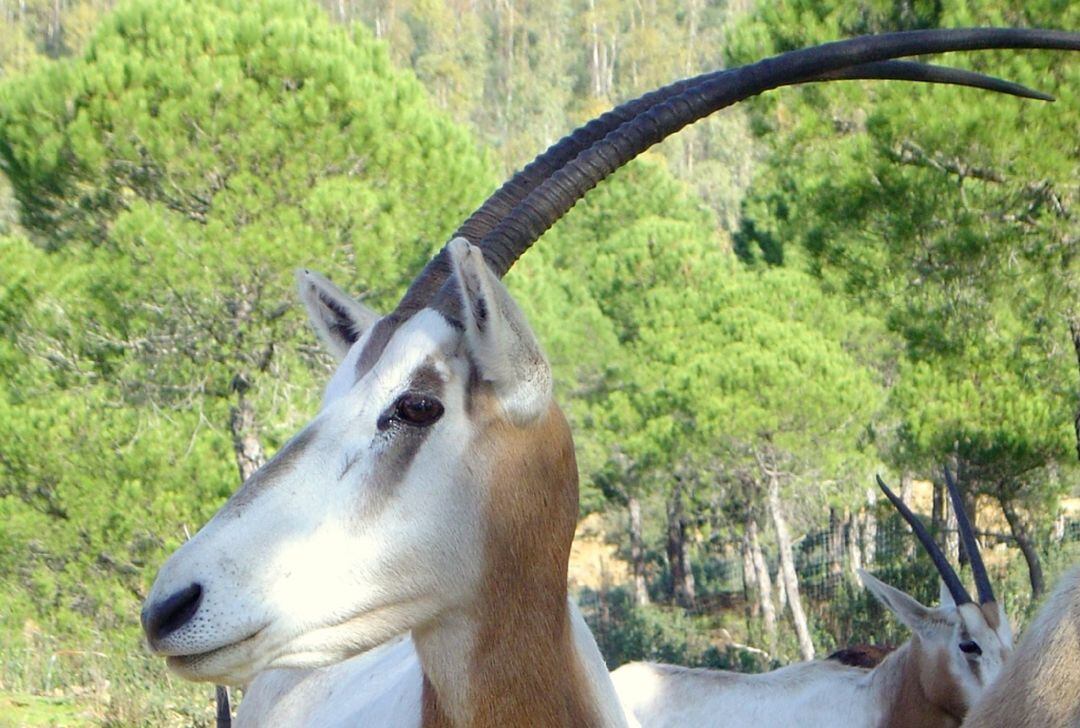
(364, 527)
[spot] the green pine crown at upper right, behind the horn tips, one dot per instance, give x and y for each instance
(949, 217)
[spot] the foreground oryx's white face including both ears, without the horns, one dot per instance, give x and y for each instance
(371, 522)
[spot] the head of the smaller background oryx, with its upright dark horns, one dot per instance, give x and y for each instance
(961, 645)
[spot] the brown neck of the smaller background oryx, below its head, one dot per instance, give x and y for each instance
(919, 690)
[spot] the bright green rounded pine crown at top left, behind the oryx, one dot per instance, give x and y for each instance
(217, 117)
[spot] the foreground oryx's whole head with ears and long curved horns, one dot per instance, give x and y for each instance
(439, 470)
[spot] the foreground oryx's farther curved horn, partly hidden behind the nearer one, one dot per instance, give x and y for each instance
(517, 190)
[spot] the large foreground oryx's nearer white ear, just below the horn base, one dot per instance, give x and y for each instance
(501, 342)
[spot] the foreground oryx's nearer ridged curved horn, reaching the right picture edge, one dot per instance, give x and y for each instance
(562, 191)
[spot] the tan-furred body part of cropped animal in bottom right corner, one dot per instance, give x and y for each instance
(1041, 686)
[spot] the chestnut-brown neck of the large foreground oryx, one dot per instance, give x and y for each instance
(509, 658)
